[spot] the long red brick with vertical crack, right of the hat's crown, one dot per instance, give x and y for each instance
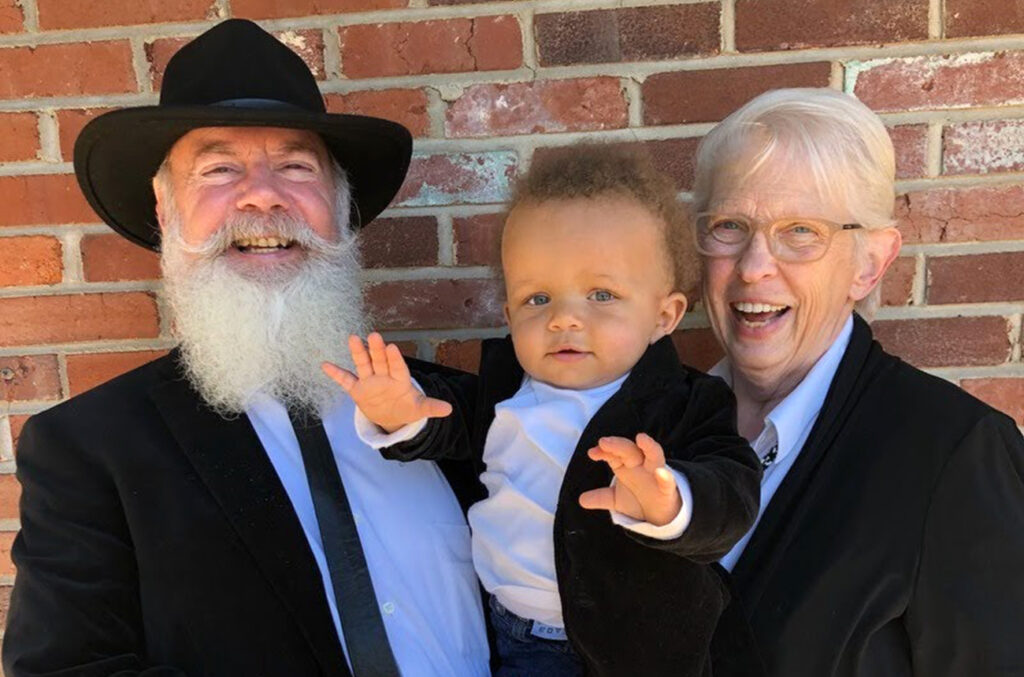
(487, 44)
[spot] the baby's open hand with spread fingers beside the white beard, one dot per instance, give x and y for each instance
(382, 388)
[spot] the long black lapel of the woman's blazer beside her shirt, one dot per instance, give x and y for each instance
(797, 494)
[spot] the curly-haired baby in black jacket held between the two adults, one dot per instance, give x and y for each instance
(585, 411)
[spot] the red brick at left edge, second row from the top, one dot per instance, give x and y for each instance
(67, 70)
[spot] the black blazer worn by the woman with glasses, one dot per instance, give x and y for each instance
(895, 545)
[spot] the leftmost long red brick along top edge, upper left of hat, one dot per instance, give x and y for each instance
(57, 15)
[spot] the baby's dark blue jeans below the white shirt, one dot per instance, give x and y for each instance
(523, 655)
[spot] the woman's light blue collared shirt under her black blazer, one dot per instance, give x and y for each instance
(788, 426)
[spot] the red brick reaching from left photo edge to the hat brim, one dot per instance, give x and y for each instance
(44, 200)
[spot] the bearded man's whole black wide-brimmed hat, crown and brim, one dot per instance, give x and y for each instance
(235, 75)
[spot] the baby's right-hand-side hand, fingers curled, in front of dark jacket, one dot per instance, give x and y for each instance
(645, 488)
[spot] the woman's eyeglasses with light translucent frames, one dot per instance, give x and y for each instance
(794, 239)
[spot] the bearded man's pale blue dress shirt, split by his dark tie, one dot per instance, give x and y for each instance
(414, 537)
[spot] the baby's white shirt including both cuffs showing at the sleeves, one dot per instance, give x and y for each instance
(527, 451)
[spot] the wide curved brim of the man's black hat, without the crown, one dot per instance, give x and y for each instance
(117, 155)
